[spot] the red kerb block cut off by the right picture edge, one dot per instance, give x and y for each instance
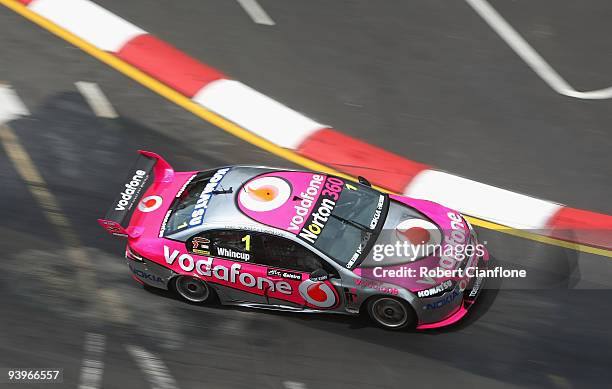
(578, 225)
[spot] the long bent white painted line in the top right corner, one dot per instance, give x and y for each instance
(529, 55)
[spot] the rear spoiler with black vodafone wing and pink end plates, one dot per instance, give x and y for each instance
(134, 187)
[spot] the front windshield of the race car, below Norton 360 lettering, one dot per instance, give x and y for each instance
(354, 224)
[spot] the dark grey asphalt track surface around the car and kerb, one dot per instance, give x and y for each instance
(431, 74)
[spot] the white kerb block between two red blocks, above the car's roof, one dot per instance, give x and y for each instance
(257, 113)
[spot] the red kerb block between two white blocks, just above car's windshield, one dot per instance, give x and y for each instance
(358, 158)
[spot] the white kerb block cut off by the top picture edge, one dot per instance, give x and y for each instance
(89, 22)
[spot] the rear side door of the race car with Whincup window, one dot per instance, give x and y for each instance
(232, 267)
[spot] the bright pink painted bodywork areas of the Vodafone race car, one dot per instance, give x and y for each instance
(145, 236)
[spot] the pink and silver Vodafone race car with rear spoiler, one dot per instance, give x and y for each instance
(295, 241)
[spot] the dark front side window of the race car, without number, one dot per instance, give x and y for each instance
(286, 254)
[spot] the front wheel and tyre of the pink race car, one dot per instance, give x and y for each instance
(391, 313)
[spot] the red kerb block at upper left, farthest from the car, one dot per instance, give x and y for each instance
(168, 64)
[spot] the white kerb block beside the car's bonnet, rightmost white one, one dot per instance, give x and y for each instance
(483, 201)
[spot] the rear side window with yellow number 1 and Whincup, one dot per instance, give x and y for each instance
(237, 245)
